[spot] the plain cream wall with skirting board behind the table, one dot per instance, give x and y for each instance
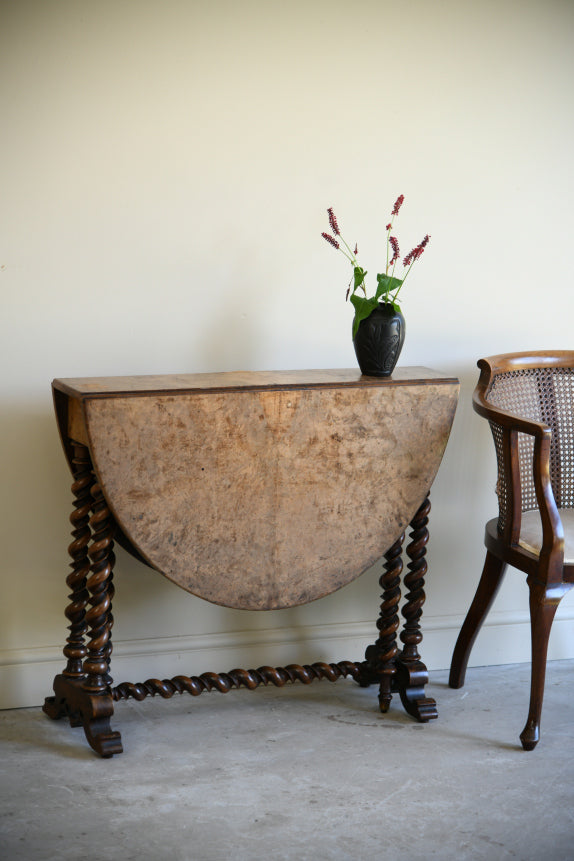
(165, 173)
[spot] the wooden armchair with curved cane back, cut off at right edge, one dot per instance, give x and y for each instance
(528, 400)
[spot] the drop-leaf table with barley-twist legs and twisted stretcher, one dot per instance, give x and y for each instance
(256, 491)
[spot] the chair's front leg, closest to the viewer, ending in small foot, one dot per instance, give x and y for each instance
(544, 601)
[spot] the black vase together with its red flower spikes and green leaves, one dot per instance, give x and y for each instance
(378, 324)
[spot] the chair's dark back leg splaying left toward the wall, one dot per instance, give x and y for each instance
(492, 576)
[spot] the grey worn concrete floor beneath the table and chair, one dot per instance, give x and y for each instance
(299, 773)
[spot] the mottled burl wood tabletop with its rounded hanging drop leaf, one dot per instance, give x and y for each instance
(263, 491)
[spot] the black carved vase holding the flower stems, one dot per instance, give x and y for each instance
(379, 341)
